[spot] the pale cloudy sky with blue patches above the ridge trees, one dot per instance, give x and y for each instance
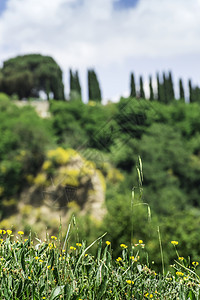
(115, 37)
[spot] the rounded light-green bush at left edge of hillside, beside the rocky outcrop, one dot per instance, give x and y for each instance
(24, 137)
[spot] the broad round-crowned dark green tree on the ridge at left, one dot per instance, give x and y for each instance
(28, 75)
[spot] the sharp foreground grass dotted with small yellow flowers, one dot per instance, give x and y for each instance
(52, 269)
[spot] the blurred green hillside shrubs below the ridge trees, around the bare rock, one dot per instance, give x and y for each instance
(165, 136)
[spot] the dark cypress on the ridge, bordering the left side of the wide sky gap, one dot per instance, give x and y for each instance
(94, 91)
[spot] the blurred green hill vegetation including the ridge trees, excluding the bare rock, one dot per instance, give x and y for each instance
(163, 205)
